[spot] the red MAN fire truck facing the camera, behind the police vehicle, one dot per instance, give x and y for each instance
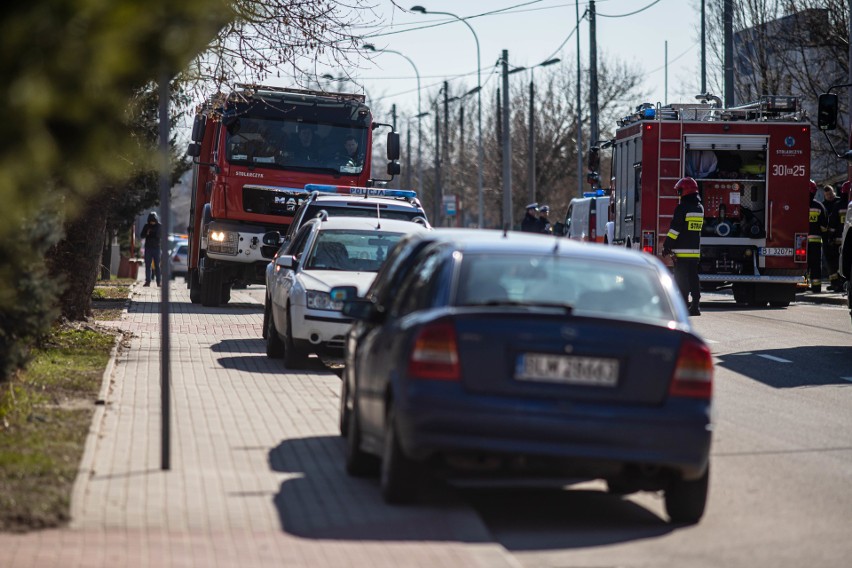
(254, 151)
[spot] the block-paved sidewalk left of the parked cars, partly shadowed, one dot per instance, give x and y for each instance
(256, 476)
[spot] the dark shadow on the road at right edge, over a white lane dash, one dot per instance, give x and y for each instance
(771, 366)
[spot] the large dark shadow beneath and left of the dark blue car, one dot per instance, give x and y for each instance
(323, 502)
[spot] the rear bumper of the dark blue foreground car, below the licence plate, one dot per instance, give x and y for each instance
(675, 435)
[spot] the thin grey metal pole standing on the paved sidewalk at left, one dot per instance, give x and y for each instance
(165, 229)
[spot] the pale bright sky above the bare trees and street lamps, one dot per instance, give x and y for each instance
(531, 31)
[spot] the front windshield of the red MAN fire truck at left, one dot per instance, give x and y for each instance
(286, 144)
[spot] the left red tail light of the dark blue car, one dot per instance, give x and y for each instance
(435, 354)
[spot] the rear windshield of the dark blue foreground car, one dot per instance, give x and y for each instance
(590, 287)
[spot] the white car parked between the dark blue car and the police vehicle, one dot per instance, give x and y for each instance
(300, 317)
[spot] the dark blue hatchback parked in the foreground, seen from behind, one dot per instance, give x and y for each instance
(501, 354)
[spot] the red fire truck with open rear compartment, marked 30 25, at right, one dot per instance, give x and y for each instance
(752, 165)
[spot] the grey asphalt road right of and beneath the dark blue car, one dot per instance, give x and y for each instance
(781, 477)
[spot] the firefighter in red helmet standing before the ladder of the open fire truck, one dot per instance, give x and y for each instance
(684, 241)
